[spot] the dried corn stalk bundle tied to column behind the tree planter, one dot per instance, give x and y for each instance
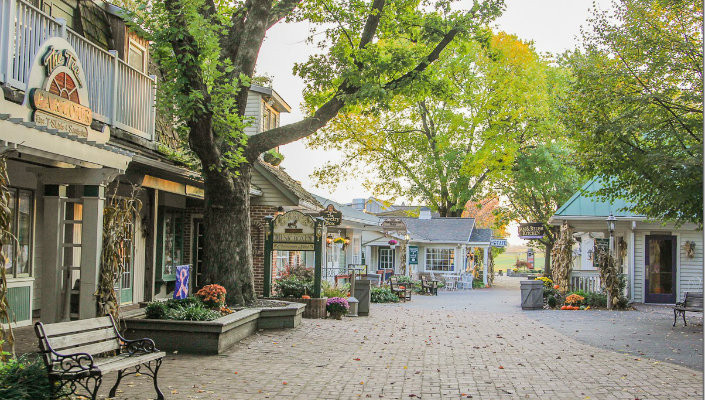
(118, 237)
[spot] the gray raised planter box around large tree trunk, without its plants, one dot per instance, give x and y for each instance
(212, 337)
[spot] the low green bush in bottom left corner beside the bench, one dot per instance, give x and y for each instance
(24, 378)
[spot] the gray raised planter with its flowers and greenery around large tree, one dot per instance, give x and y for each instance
(204, 324)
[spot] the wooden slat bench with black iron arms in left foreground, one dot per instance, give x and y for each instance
(73, 353)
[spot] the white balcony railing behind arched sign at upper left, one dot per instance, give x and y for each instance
(119, 95)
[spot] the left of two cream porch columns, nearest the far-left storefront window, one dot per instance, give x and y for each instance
(52, 252)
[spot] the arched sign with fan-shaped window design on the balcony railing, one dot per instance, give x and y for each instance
(58, 94)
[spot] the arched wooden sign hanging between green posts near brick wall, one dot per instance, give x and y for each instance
(295, 231)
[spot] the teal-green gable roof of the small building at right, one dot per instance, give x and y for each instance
(582, 204)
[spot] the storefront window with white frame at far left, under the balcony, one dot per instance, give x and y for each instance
(18, 249)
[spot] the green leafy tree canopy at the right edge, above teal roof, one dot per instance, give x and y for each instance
(636, 106)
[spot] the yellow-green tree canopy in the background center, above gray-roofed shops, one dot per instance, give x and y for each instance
(475, 108)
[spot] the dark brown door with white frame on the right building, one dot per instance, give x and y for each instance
(660, 272)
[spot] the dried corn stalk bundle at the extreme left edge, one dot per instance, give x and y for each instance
(7, 339)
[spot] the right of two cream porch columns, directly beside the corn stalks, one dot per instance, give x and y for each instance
(92, 244)
